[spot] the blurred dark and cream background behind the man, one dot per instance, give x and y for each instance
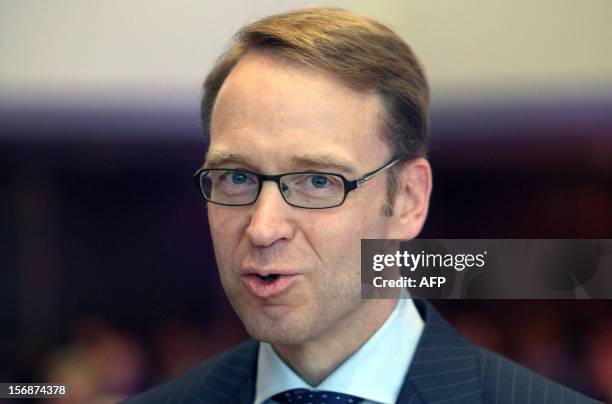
(107, 277)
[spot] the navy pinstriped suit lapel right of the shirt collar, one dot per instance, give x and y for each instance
(444, 367)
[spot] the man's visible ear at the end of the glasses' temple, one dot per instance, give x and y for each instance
(411, 201)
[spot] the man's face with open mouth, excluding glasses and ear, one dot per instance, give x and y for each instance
(273, 116)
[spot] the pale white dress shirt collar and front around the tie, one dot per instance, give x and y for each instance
(375, 372)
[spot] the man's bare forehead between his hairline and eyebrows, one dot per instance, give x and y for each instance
(272, 107)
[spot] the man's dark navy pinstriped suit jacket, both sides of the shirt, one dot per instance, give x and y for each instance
(445, 369)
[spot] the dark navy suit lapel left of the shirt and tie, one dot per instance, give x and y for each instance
(231, 379)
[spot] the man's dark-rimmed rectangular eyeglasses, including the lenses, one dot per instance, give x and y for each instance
(307, 189)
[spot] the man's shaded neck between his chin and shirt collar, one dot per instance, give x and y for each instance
(314, 360)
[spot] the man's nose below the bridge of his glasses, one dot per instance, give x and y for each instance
(269, 218)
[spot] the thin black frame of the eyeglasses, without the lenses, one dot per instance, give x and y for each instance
(349, 185)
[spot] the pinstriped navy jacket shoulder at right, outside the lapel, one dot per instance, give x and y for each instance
(504, 380)
